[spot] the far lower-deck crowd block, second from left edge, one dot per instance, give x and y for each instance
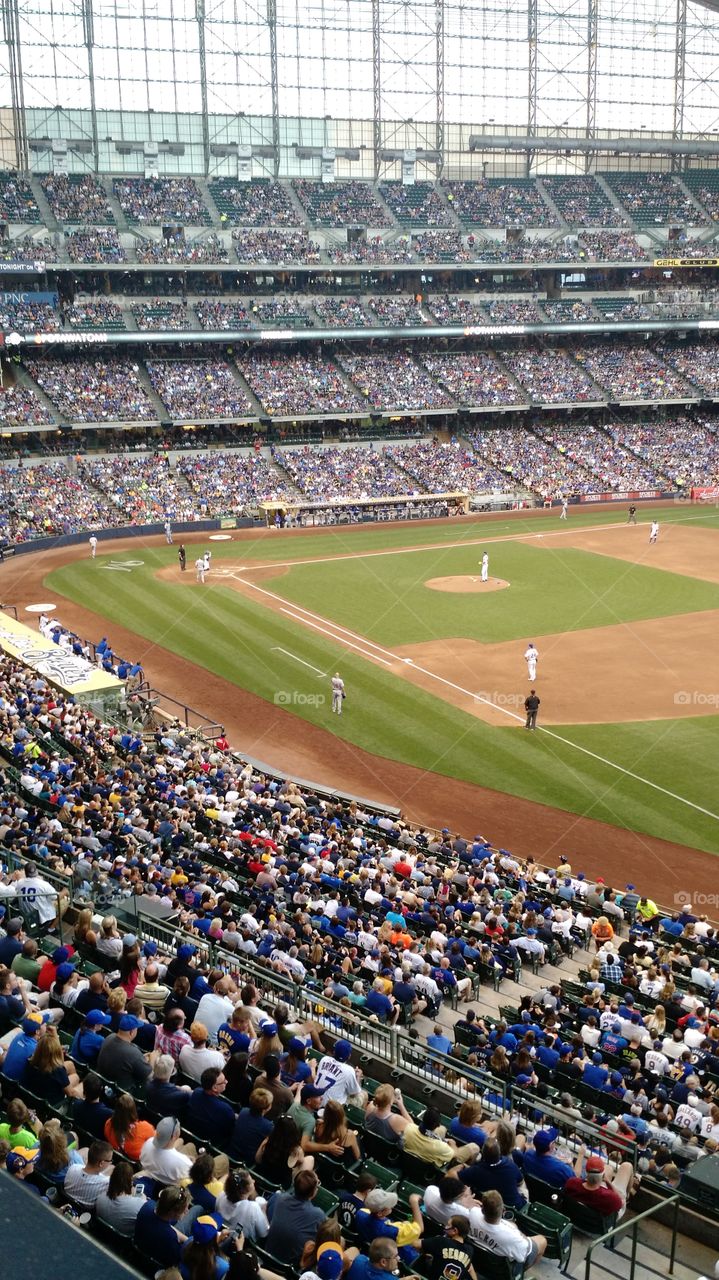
(141, 491)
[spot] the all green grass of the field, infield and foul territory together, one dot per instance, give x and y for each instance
(239, 639)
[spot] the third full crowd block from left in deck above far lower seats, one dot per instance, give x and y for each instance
(294, 386)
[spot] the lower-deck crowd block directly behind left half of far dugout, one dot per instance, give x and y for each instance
(336, 474)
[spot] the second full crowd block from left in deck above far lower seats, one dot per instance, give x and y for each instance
(199, 390)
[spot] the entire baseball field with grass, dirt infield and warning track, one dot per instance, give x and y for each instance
(433, 662)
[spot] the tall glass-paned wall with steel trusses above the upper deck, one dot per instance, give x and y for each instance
(367, 85)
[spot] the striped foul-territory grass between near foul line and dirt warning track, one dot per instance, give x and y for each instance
(235, 638)
